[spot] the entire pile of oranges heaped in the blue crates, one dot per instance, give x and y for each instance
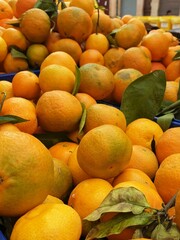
(83, 56)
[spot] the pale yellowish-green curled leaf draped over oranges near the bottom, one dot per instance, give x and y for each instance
(125, 199)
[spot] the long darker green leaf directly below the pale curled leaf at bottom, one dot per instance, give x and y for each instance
(118, 223)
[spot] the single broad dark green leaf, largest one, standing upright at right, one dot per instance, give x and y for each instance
(144, 96)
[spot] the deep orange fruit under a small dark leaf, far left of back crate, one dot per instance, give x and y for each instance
(14, 64)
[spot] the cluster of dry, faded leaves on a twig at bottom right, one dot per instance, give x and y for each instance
(131, 209)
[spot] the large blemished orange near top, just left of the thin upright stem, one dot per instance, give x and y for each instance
(74, 23)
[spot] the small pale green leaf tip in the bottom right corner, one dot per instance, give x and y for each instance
(161, 233)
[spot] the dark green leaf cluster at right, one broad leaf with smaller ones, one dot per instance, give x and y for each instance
(144, 97)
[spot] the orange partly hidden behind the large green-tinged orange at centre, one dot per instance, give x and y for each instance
(99, 114)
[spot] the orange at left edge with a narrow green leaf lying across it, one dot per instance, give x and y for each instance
(23, 108)
